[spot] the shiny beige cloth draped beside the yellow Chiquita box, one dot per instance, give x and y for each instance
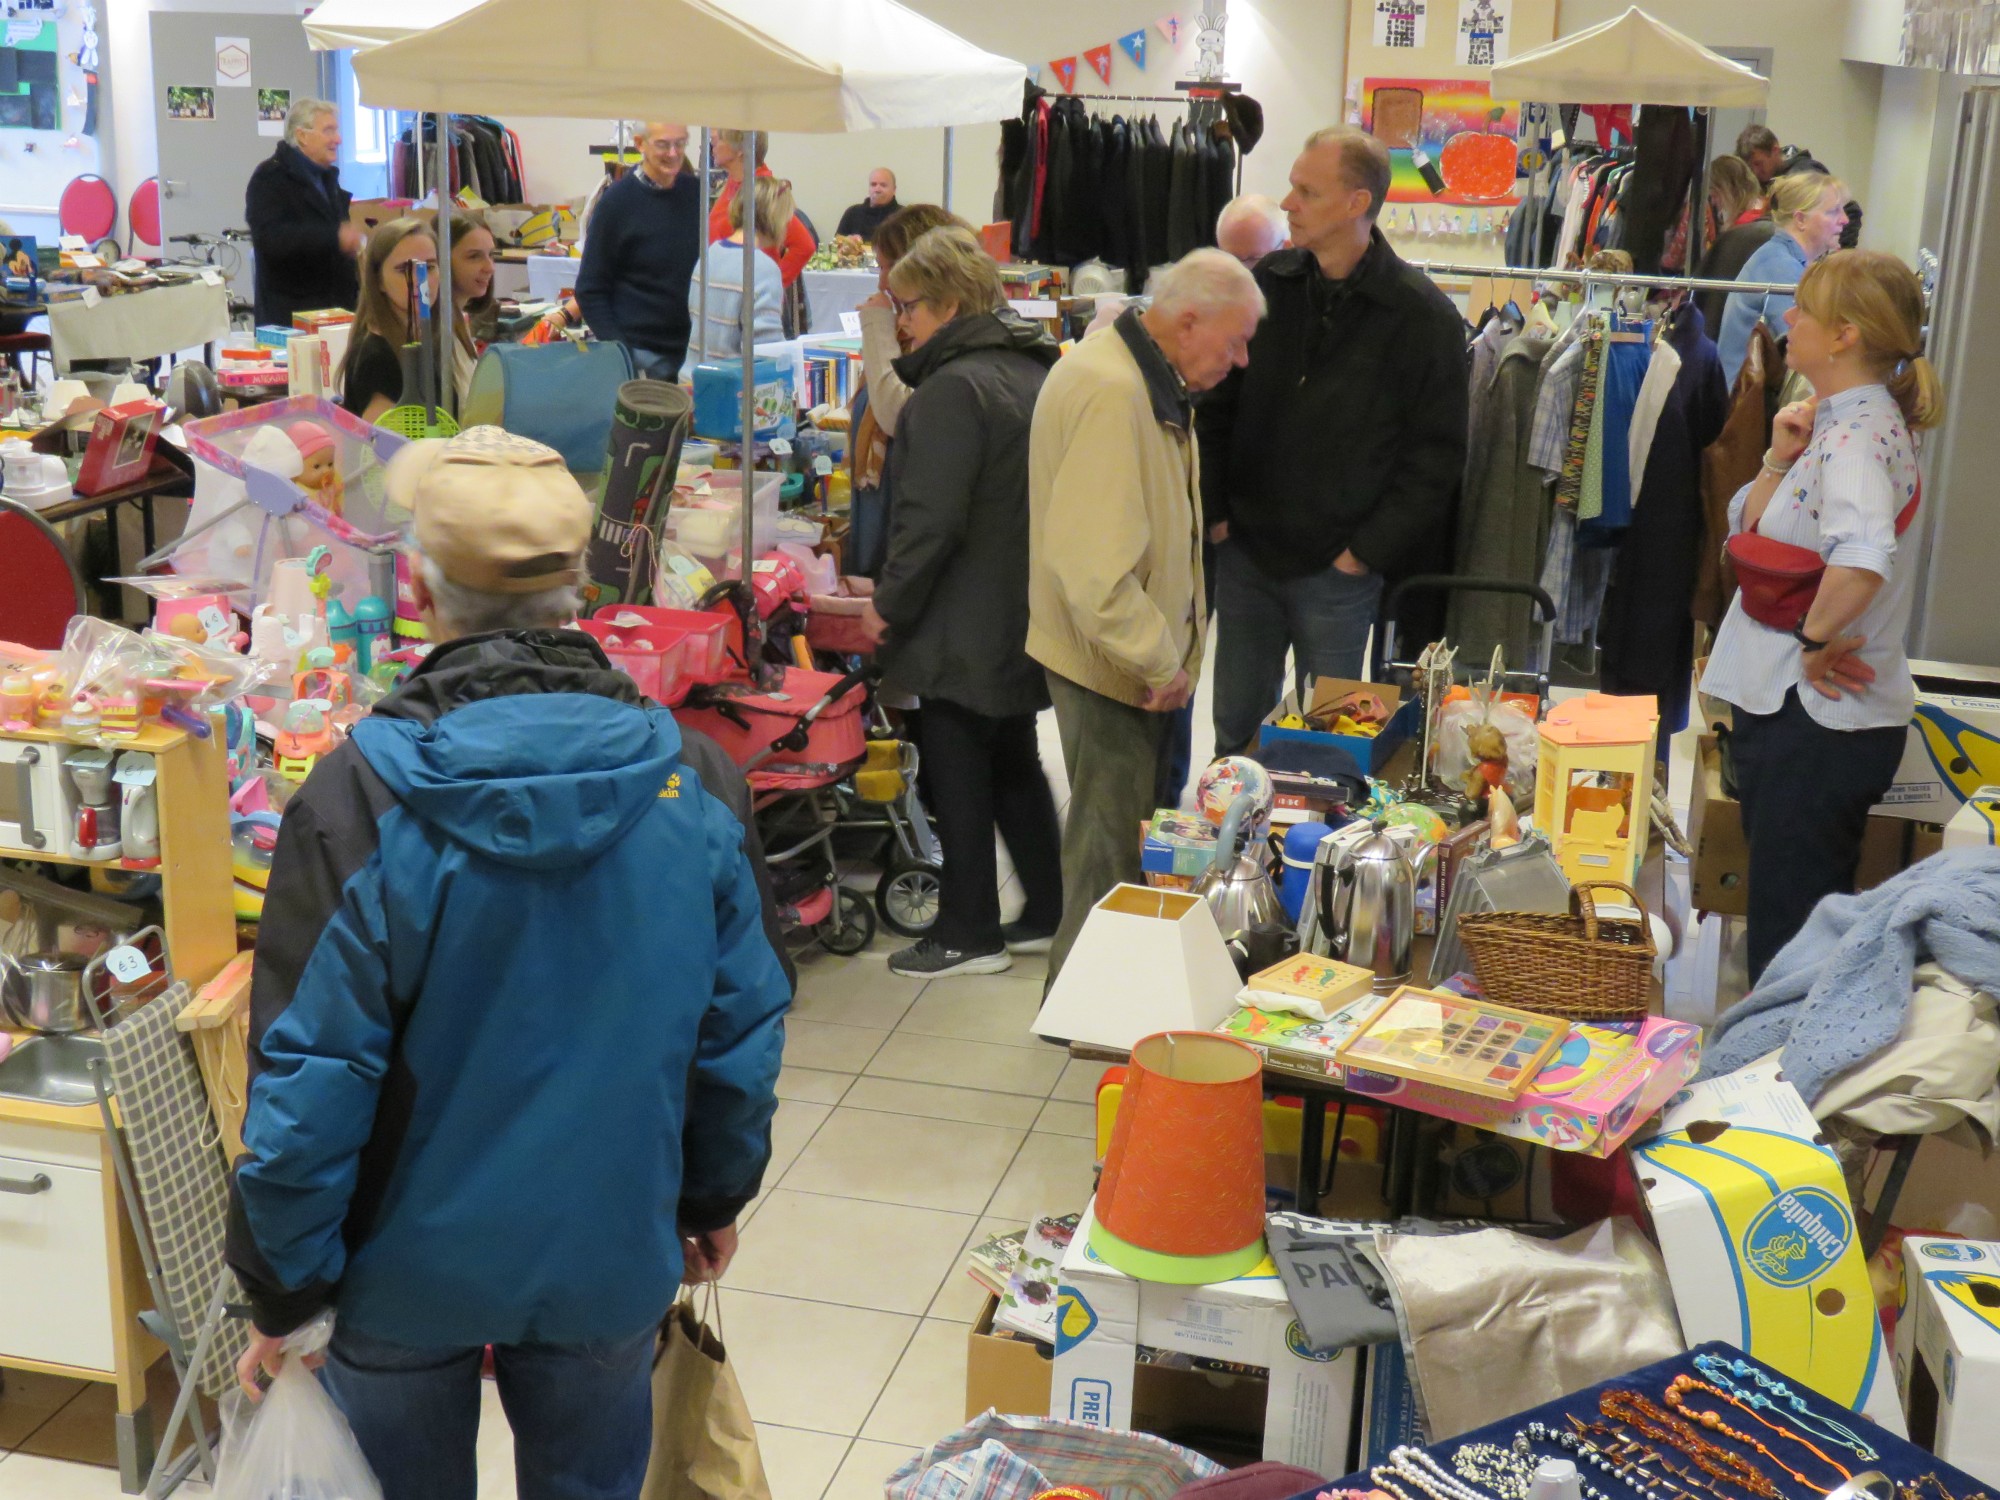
(1551, 1315)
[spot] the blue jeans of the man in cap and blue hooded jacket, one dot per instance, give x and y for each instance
(581, 1415)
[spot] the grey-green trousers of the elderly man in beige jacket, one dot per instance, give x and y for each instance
(1113, 757)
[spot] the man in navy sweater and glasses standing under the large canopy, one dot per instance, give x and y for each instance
(641, 253)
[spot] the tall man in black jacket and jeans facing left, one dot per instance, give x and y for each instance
(1339, 449)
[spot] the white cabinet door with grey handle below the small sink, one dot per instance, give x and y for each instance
(55, 1263)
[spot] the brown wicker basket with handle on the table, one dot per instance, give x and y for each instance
(1571, 965)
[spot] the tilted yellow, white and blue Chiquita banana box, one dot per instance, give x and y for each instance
(1761, 1241)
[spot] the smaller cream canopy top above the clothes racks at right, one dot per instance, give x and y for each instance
(1635, 59)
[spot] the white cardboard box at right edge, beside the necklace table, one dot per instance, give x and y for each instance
(1949, 1351)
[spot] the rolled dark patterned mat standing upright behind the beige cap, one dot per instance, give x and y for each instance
(649, 425)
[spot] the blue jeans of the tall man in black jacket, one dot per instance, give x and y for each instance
(1323, 619)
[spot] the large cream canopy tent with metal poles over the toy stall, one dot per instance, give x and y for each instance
(753, 65)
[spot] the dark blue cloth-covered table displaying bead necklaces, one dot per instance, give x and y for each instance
(1707, 1425)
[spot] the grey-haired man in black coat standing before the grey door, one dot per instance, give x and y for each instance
(299, 221)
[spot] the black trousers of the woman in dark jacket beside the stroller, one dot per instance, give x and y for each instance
(981, 775)
